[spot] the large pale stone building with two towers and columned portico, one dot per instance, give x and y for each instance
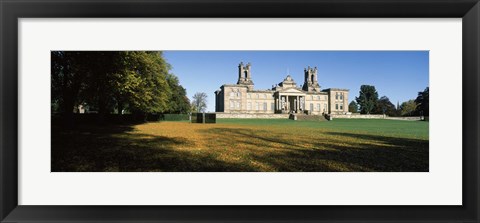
(285, 97)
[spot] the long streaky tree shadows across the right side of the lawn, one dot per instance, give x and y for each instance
(335, 151)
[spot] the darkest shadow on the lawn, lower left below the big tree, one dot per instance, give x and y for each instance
(113, 148)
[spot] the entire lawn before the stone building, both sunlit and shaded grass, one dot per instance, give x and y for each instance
(245, 145)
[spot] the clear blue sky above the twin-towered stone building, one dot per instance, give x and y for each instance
(399, 75)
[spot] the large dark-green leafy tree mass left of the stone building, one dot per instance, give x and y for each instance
(138, 81)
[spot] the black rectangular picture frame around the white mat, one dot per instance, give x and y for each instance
(11, 11)
